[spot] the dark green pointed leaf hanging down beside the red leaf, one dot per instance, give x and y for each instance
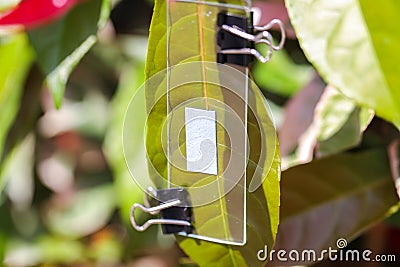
(62, 44)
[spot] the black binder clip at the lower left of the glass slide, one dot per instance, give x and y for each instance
(174, 209)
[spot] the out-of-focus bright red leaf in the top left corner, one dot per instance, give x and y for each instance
(32, 13)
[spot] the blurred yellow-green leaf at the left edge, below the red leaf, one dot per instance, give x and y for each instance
(13, 49)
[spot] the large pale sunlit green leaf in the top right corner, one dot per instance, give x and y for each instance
(354, 45)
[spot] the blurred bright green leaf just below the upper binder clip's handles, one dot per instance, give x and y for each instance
(281, 75)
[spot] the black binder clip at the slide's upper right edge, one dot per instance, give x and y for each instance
(237, 37)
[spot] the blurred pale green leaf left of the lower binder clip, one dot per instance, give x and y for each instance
(83, 213)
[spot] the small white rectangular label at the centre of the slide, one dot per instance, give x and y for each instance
(201, 141)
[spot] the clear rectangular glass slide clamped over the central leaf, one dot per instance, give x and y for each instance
(206, 101)
